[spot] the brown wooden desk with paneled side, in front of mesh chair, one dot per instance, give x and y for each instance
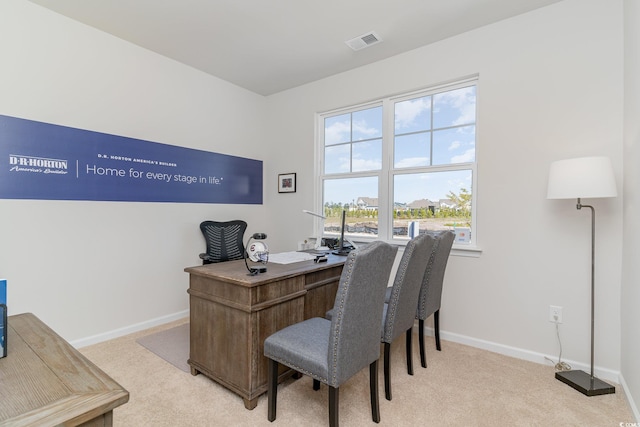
(232, 314)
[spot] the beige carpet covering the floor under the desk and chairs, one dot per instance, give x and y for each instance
(462, 386)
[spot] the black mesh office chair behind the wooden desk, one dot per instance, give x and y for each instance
(224, 240)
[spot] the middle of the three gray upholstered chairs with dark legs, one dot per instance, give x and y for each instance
(399, 310)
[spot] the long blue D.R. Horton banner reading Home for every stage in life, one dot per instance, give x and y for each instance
(50, 162)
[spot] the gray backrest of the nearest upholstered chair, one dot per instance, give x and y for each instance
(354, 342)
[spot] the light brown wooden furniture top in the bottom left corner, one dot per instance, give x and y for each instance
(44, 381)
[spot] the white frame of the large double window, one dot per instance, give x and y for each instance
(387, 172)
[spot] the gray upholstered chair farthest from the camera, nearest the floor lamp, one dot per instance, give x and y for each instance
(431, 291)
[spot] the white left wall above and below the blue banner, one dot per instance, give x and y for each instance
(92, 268)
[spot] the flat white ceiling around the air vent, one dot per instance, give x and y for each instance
(268, 46)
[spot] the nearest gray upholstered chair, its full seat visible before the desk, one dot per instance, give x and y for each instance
(332, 351)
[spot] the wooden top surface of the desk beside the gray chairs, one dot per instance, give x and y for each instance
(236, 271)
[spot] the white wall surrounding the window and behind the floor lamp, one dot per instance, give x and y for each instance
(550, 87)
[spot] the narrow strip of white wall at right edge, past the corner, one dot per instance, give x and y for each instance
(630, 268)
